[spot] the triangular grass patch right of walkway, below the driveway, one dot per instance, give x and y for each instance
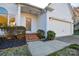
(71, 50)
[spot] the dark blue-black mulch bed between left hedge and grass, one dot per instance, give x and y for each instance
(11, 43)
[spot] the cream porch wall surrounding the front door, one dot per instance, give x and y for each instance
(33, 24)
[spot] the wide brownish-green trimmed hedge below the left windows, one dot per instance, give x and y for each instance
(12, 31)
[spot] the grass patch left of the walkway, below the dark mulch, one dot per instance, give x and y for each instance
(16, 51)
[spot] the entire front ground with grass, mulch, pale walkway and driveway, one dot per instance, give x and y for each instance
(57, 47)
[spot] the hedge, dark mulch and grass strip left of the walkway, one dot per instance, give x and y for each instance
(13, 41)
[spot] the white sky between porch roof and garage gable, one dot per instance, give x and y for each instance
(40, 3)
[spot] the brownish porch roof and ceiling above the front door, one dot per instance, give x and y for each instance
(30, 9)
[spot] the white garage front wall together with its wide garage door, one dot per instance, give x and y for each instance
(62, 12)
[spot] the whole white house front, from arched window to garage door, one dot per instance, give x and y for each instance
(56, 17)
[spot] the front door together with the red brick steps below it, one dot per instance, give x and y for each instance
(30, 36)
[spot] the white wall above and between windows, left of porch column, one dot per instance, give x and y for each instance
(11, 8)
